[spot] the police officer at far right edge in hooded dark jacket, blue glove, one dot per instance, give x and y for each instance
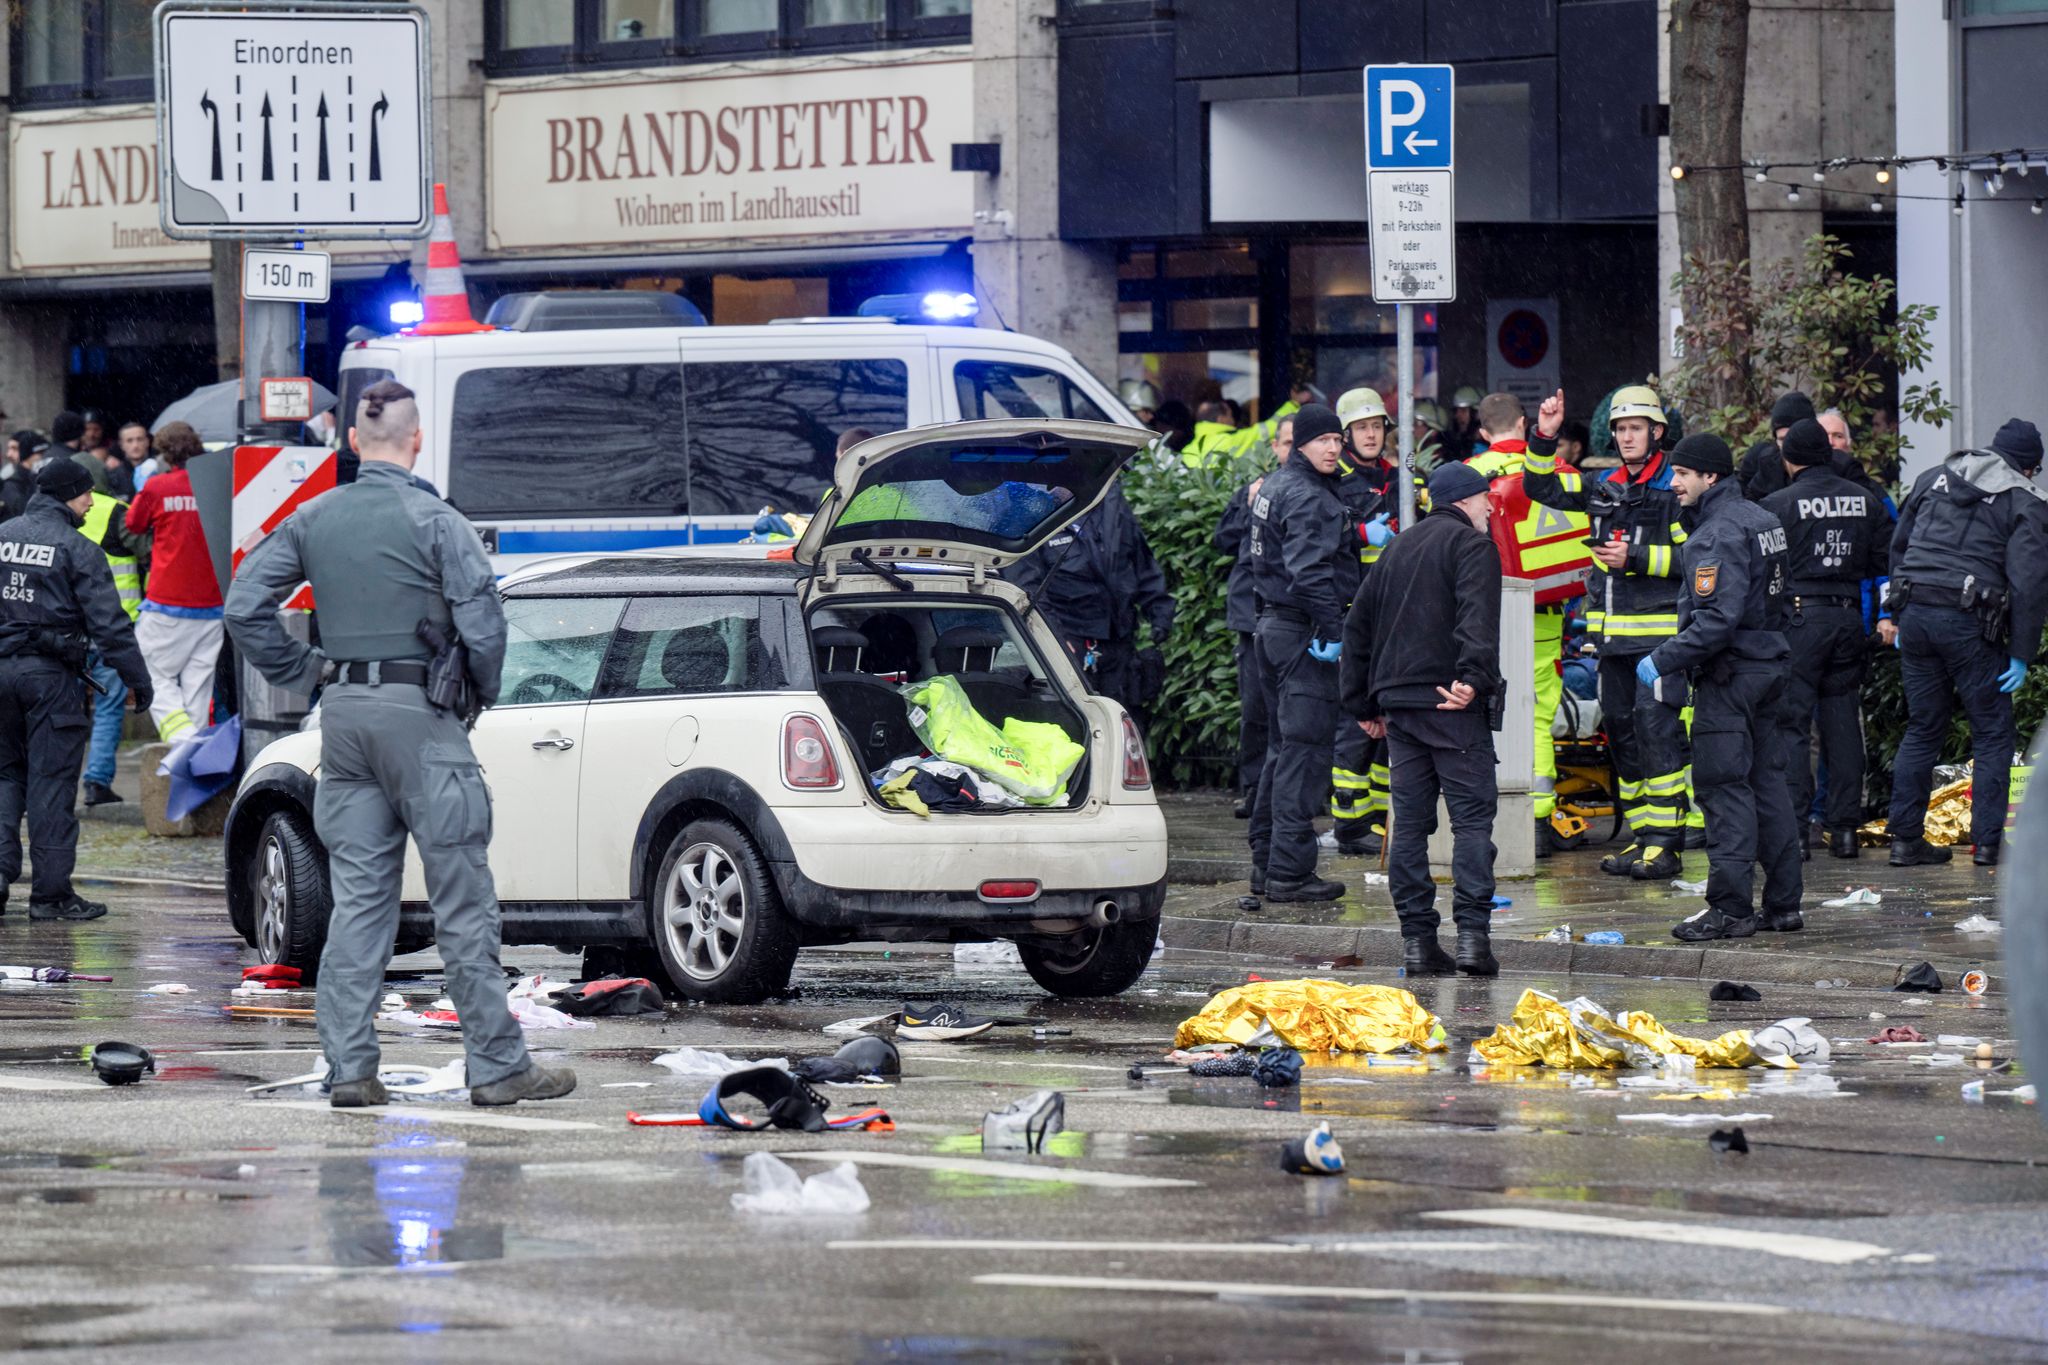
(1971, 595)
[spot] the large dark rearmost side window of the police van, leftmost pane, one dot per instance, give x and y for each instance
(568, 441)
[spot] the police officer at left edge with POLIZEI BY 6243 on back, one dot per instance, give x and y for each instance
(56, 601)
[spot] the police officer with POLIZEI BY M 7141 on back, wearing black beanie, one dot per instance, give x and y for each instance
(1836, 539)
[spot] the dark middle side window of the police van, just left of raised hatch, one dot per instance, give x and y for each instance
(765, 433)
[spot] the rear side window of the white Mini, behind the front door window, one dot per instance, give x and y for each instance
(699, 646)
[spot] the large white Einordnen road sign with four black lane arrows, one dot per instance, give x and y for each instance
(278, 124)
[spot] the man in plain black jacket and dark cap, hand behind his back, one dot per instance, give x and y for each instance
(1422, 670)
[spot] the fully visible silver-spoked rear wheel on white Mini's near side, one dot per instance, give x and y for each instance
(718, 920)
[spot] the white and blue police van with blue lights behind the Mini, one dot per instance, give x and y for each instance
(597, 423)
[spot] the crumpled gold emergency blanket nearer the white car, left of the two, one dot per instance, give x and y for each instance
(1316, 1016)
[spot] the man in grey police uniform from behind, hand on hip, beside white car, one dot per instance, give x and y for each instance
(382, 558)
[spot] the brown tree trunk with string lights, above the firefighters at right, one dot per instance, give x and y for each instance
(1709, 77)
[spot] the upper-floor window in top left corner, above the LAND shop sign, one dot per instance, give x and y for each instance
(81, 50)
